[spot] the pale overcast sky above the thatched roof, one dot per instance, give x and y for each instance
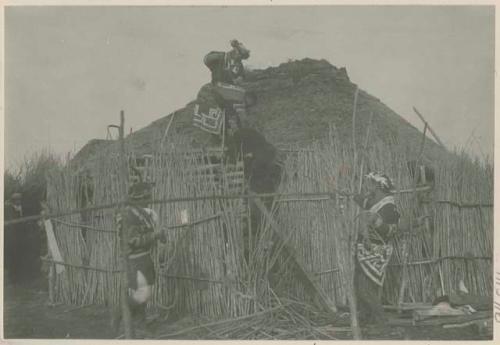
(70, 70)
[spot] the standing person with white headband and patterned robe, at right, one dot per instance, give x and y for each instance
(373, 249)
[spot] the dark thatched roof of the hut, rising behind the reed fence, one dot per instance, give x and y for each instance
(297, 103)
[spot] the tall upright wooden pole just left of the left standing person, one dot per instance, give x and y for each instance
(126, 315)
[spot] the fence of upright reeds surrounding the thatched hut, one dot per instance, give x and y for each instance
(215, 267)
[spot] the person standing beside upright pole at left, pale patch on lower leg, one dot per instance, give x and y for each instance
(139, 222)
